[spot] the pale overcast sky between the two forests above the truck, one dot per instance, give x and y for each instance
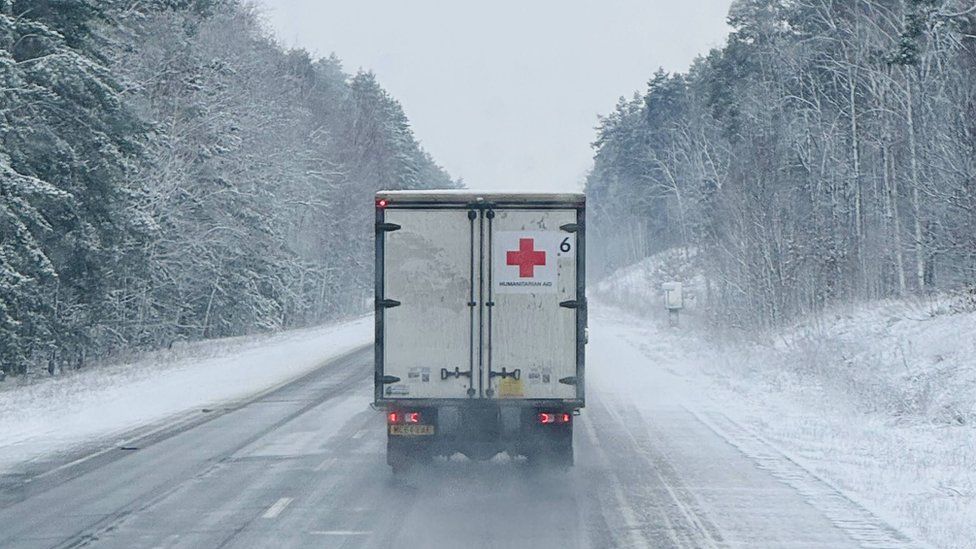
(506, 93)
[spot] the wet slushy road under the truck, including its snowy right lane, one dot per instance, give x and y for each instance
(304, 466)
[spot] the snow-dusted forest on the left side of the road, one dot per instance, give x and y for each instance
(168, 172)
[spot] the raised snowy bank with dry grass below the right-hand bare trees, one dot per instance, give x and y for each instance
(913, 362)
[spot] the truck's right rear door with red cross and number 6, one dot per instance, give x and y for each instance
(532, 312)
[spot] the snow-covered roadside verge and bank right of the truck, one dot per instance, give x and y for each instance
(878, 400)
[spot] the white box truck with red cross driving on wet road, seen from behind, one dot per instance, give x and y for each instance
(480, 311)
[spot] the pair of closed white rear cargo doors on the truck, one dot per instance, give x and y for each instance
(478, 301)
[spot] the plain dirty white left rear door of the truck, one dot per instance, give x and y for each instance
(428, 283)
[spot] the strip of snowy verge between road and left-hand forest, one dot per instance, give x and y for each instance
(56, 414)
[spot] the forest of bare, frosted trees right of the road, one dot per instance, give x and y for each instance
(825, 154)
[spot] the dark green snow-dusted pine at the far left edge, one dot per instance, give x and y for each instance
(68, 146)
